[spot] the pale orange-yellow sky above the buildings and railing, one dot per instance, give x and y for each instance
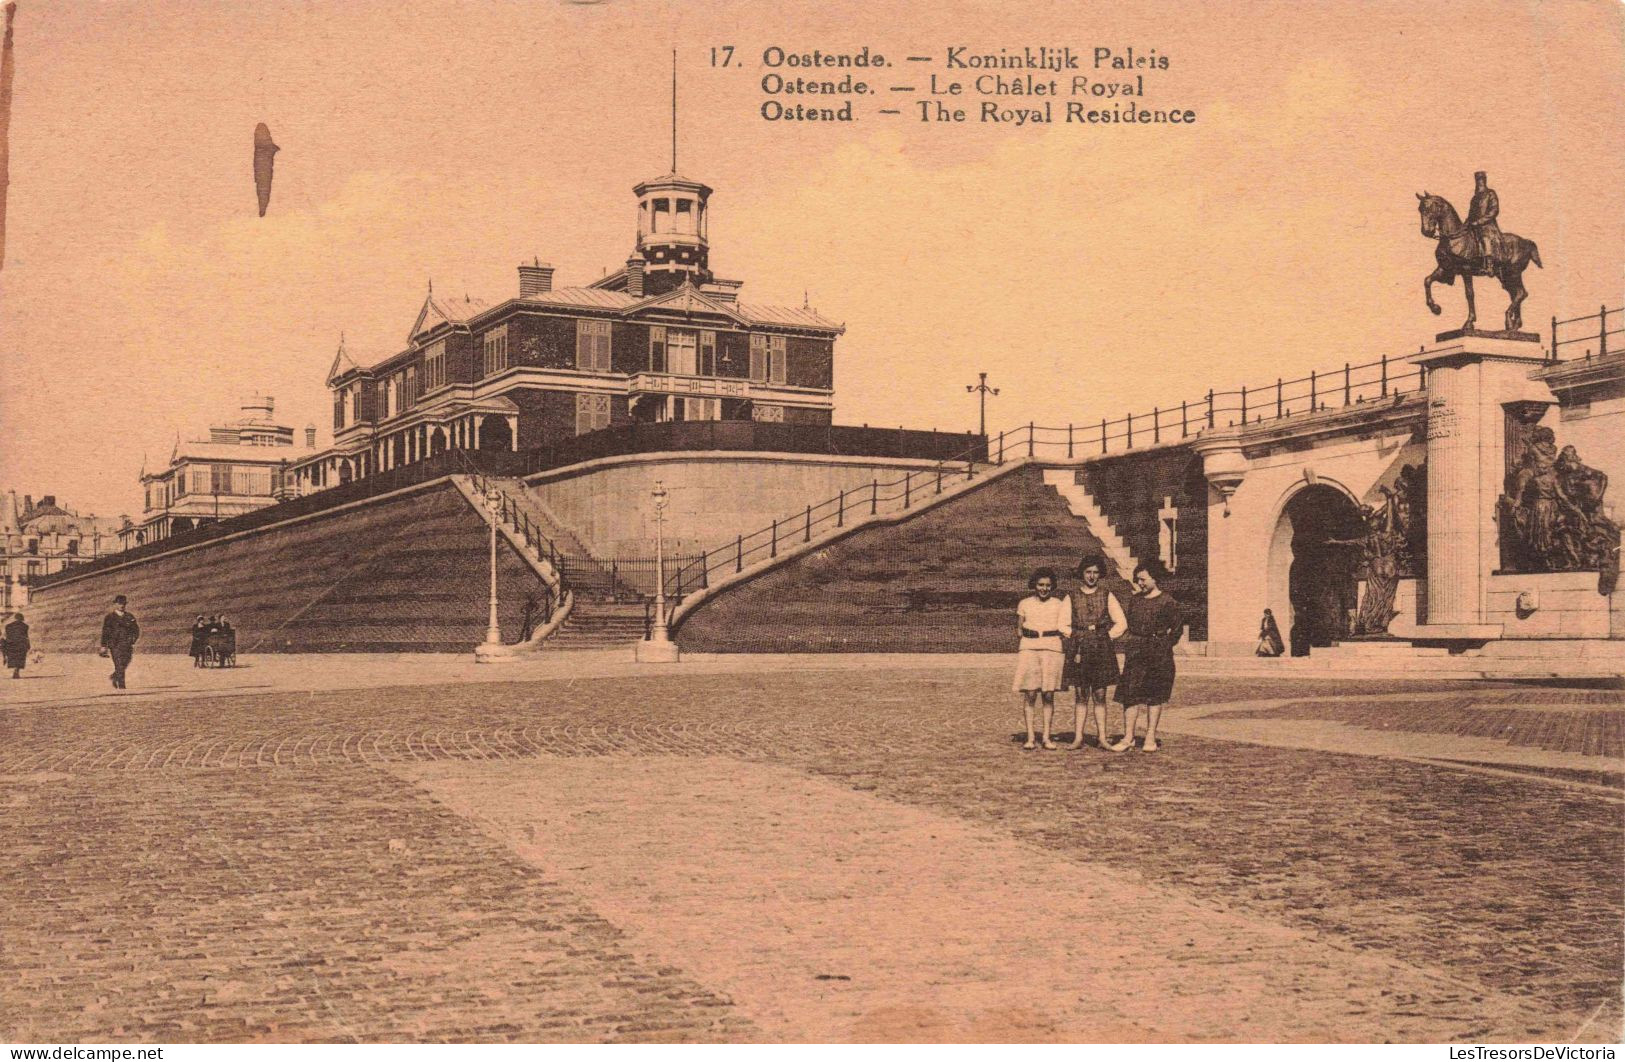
(1091, 270)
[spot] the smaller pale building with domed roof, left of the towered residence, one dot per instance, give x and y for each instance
(240, 468)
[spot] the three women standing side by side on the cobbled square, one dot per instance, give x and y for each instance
(1068, 642)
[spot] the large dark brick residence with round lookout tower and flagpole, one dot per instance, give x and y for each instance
(659, 340)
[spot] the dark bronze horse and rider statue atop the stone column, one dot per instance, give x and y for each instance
(1476, 248)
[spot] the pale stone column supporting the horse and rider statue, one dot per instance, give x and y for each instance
(1470, 381)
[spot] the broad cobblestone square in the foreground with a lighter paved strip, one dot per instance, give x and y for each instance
(349, 866)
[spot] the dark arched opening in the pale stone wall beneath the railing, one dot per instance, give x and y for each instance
(1312, 576)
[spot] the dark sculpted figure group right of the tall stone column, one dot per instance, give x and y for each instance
(1553, 517)
